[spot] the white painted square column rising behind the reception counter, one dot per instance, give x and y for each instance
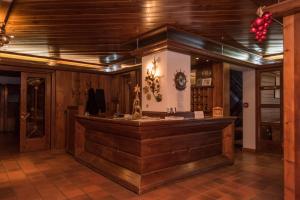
(168, 63)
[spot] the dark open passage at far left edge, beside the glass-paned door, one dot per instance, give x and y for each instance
(10, 84)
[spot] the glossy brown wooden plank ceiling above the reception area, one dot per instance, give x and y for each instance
(84, 30)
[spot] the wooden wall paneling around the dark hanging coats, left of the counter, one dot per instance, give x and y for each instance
(71, 90)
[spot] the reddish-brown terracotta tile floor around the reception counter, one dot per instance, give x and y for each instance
(45, 175)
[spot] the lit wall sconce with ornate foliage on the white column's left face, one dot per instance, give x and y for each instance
(153, 81)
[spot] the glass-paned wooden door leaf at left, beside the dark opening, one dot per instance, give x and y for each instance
(35, 111)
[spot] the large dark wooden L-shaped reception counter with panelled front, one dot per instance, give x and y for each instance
(143, 154)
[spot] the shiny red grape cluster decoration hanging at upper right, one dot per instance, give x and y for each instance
(260, 26)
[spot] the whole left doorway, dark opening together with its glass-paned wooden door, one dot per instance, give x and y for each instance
(25, 111)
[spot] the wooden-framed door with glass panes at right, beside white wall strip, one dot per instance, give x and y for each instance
(269, 112)
